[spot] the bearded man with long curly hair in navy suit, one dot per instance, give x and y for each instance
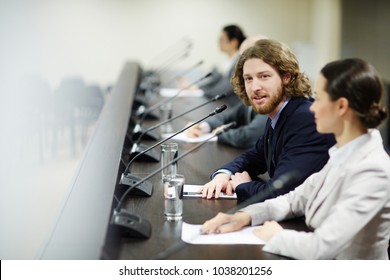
(268, 78)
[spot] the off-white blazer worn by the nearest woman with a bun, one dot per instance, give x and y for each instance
(347, 204)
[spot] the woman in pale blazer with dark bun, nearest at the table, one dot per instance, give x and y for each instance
(347, 203)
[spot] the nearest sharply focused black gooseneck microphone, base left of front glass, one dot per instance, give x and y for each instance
(134, 225)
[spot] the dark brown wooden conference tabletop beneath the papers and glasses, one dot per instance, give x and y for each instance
(165, 241)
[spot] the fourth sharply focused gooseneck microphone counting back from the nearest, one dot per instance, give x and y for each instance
(143, 112)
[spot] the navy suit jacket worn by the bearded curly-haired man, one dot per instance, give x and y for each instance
(297, 146)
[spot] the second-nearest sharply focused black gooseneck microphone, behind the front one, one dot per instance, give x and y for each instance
(146, 188)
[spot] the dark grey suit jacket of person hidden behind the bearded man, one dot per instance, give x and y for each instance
(249, 126)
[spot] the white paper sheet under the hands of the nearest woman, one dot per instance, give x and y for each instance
(191, 234)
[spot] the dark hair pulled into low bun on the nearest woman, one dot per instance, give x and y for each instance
(358, 82)
